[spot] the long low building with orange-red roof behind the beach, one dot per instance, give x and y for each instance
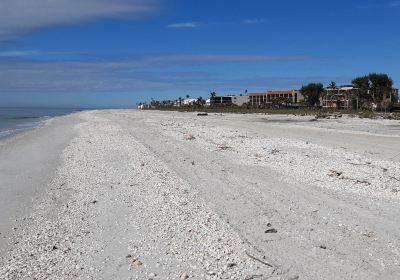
(294, 96)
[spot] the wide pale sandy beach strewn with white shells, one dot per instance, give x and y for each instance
(127, 194)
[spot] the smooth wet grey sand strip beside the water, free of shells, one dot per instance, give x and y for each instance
(28, 163)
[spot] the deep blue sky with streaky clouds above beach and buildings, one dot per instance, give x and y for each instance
(117, 53)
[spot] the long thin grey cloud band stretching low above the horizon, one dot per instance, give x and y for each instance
(25, 75)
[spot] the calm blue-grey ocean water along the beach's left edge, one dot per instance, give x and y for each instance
(16, 120)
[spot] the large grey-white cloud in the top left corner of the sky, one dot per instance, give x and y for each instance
(20, 16)
